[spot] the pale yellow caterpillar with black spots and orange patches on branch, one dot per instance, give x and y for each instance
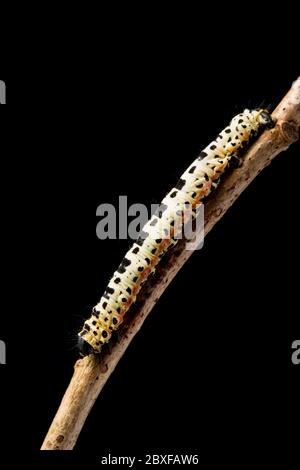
(194, 185)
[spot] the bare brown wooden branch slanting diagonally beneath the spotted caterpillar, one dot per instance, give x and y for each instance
(90, 373)
